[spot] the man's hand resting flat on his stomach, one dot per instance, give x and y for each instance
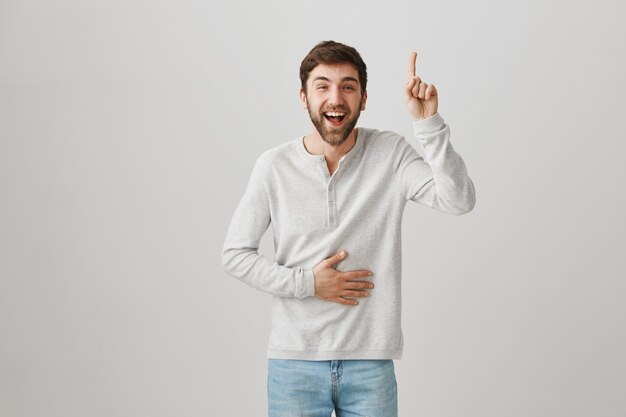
(340, 287)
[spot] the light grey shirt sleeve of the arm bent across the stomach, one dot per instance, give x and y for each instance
(240, 255)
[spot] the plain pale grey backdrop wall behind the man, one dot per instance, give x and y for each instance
(129, 129)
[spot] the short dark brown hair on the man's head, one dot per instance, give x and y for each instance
(331, 52)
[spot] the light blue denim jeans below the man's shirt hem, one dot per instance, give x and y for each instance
(353, 388)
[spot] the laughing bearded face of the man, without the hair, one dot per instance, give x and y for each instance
(334, 101)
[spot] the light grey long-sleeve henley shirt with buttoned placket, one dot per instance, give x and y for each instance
(359, 209)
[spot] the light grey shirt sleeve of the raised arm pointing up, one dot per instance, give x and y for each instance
(439, 179)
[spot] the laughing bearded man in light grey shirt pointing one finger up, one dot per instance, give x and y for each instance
(335, 200)
